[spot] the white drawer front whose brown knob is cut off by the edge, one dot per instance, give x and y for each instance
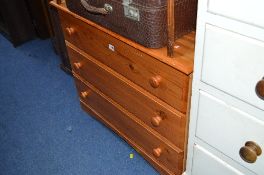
(234, 64)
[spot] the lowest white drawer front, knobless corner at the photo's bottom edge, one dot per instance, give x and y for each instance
(205, 163)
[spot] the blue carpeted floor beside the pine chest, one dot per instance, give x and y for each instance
(43, 130)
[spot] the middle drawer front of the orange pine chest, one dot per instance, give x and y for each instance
(166, 122)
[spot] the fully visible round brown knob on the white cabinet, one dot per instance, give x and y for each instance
(250, 152)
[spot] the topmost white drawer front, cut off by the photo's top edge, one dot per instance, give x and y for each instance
(248, 11)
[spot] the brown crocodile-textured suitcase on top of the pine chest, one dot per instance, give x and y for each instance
(143, 21)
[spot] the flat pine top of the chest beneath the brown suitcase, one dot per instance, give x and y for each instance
(184, 46)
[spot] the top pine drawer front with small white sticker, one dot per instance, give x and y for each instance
(161, 80)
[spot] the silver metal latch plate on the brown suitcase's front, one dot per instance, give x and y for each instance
(131, 12)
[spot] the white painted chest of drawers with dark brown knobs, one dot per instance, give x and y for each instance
(226, 133)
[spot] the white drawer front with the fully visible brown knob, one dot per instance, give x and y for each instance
(228, 129)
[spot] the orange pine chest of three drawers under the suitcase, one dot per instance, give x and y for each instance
(139, 93)
